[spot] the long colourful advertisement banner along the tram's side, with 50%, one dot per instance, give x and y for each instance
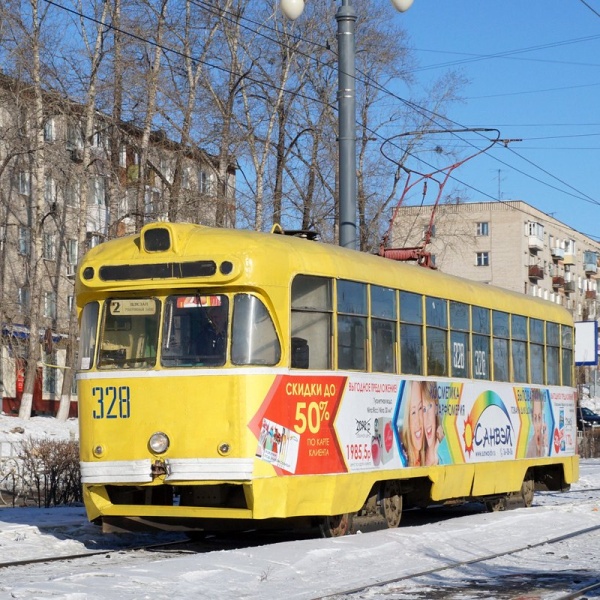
(358, 423)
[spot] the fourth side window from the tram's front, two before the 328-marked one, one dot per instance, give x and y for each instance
(411, 333)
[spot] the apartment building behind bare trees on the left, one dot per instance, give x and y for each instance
(118, 202)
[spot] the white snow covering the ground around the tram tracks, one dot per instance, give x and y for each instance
(304, 569)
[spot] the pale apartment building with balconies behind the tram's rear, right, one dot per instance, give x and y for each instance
(510, 244)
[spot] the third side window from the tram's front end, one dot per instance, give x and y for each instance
(383, 329)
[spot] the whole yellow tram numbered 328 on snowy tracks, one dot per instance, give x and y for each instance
(233, 378)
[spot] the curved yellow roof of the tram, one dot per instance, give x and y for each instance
(267, 259)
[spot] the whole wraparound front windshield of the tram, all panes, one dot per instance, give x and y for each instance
(195, 331)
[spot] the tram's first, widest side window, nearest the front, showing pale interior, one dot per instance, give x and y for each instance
(312, 308)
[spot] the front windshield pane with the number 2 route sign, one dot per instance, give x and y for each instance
(129, 333)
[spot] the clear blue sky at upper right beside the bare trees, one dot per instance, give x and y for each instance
(543, 90)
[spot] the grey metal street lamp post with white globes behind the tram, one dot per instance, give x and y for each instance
(346, 20)
